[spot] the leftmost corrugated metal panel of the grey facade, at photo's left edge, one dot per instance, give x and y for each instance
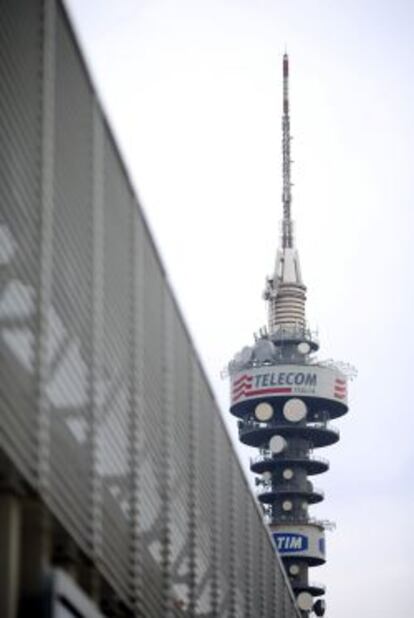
(20, 191)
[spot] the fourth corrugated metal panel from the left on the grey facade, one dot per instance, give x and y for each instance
(152, 516)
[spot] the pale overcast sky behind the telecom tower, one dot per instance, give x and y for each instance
(192, 90)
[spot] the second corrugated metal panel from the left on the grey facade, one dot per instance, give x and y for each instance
(69, 342)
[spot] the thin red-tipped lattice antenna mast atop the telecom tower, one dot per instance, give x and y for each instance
(287, 226)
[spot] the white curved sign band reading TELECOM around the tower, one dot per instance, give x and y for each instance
(289, 380)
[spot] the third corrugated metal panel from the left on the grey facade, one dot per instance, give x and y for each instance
(115, 377)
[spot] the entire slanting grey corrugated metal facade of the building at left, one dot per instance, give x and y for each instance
(104, 407)
